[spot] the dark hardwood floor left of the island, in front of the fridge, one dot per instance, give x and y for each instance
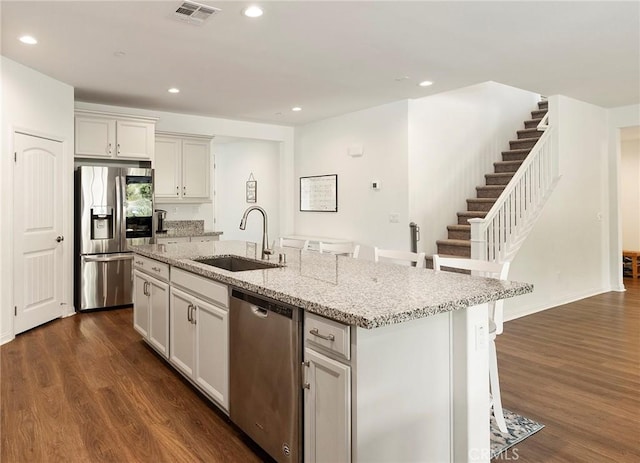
(87, 389)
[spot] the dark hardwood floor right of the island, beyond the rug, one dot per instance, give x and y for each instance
(576, 369)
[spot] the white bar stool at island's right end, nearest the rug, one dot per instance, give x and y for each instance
(491, 270)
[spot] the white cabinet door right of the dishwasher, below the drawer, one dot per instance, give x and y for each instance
(327, 409)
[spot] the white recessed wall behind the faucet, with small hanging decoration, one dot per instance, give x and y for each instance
(235, 163)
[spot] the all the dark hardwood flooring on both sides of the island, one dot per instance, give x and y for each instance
(87, 389)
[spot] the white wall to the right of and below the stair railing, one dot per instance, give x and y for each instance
(567, 253)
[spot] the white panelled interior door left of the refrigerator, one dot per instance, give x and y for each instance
(38, 239)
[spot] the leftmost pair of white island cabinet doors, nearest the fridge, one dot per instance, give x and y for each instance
(151, 310)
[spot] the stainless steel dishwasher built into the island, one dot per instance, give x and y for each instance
(265, 353)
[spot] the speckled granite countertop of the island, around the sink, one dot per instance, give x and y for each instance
(351, 291)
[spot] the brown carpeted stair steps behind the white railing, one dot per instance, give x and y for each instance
(458, 242)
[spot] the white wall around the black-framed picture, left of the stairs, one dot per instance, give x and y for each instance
(363, 214)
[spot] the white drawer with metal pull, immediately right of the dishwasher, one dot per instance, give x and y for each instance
(329, 335)
